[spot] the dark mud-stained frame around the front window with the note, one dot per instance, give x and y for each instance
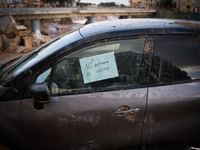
(143, 75)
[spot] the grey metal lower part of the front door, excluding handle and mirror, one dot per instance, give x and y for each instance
(85, 121)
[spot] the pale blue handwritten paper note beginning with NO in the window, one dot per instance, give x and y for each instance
(99, 67)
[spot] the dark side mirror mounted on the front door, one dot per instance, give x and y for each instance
(40, 93)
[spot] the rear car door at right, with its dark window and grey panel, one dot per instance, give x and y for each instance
(172, 118)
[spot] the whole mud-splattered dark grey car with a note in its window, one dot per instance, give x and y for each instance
(123, 84)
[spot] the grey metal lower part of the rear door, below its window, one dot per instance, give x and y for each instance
(173, 114)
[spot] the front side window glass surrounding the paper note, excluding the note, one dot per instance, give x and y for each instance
(127, 53)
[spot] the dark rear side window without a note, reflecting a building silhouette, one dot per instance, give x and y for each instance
(177, 59)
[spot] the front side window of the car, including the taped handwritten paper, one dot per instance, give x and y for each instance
(101, 66)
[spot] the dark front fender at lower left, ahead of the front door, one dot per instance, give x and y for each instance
(10, 127)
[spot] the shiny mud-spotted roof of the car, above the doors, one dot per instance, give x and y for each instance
(142, 26)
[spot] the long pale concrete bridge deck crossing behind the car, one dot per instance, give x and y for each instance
(44, 13)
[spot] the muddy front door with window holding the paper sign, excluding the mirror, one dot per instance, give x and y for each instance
(98, 97)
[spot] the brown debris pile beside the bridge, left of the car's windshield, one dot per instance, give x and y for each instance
(16, 38)
